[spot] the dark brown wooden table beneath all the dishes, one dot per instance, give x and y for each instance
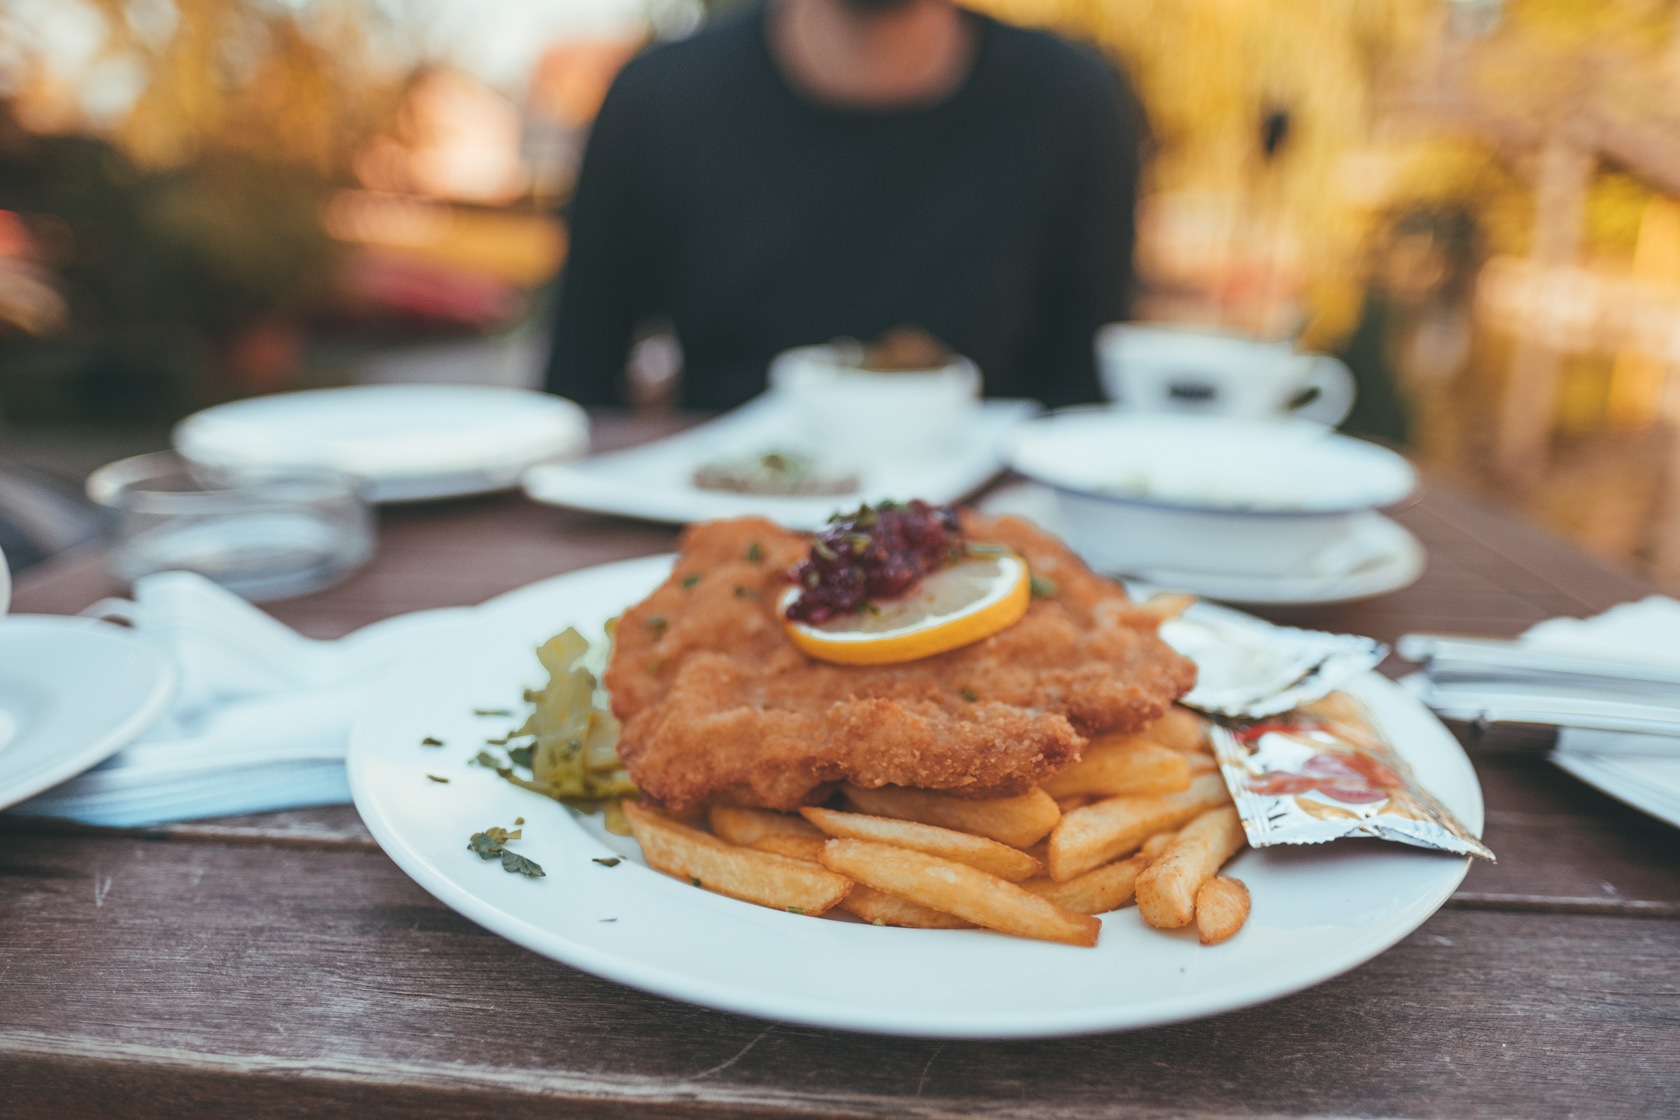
(280, 965)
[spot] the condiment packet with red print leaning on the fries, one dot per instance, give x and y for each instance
(1323, 772)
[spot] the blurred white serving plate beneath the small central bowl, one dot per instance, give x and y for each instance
(654, 481)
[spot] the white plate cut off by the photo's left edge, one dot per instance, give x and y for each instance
(73, 693)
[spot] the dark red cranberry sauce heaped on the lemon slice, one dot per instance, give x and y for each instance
(873, 555)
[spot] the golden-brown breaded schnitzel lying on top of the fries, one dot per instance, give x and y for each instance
(717, 703)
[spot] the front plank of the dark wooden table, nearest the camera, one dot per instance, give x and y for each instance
(260, 980)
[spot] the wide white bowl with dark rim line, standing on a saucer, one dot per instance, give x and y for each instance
(1205, 495)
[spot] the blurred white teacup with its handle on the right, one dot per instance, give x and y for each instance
(1168, 369)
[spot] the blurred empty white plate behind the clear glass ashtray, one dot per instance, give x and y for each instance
(407, 442)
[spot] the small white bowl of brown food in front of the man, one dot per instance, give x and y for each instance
(854, 416)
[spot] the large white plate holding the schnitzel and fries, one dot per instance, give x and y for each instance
(1318, 911)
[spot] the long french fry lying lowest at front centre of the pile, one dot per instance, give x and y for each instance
(958, 889)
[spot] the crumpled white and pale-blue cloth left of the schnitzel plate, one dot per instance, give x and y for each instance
(261, 718)
